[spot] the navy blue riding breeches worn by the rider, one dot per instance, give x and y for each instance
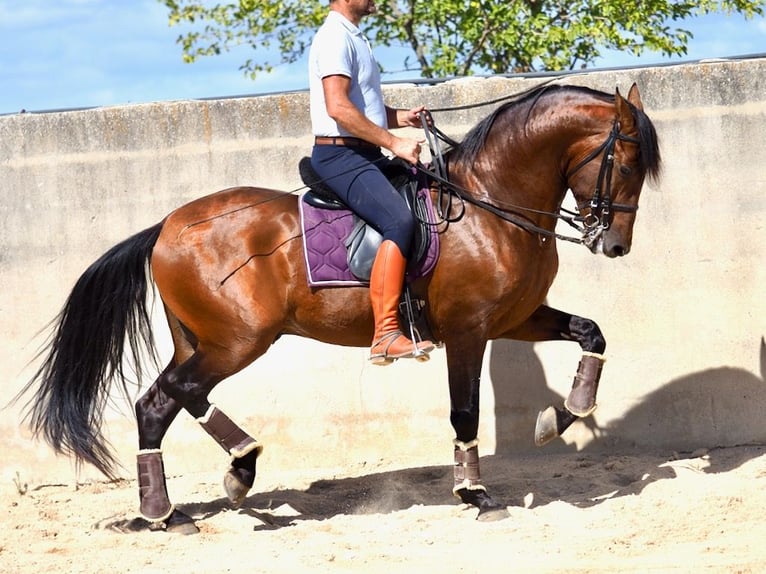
(352, 173)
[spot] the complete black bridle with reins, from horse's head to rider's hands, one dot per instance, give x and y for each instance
(591, 226)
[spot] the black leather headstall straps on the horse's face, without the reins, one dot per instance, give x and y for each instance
(601, 205)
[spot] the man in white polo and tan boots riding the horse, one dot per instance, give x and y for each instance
(350, 123)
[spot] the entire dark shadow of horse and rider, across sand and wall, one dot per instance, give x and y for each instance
(712, 405)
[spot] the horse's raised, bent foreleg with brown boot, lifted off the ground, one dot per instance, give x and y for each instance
(548, 324)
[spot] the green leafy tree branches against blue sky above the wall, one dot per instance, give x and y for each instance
(447, 37)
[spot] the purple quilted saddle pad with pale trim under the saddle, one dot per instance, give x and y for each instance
(324, 233)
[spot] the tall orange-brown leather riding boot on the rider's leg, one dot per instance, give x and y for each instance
(386, 280)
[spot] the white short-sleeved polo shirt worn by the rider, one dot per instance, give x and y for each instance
(340, 48)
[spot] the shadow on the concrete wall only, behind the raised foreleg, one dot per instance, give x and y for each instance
(717, 407)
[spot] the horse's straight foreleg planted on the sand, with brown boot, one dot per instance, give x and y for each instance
(464, 366)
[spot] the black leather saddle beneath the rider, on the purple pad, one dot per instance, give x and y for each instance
(363, 241)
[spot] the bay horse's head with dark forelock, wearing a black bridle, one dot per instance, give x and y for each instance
(607, 180)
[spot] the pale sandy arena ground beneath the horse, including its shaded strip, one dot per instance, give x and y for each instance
(633, 512)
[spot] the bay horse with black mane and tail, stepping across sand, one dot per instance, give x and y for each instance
(230, 272)
